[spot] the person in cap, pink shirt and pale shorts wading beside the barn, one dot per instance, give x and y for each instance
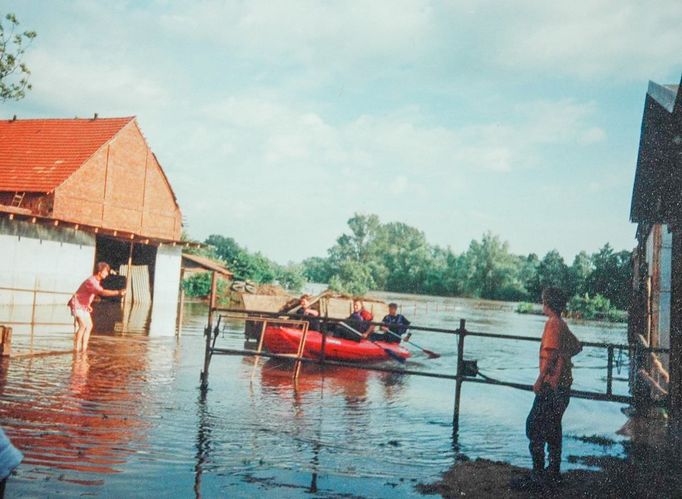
(81, 304)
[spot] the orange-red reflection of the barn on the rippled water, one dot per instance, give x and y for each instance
(86, 425)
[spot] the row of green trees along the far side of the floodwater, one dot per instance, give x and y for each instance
(394, 256)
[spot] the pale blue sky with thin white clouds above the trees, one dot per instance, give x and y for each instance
(276, 122)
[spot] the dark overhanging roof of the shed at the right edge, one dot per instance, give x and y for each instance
(657, 191)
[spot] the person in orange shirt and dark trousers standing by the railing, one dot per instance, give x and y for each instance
(552, 389)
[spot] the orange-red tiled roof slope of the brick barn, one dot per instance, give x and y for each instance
(39, 155)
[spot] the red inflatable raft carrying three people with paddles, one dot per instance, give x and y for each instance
(279, 339)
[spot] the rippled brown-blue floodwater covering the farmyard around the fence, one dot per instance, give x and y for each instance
(127, 418)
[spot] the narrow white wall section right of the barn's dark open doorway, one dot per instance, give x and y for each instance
(166, 288)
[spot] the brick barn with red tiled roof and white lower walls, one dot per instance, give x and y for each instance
(77, 191)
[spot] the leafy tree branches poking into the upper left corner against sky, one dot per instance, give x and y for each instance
(14, 73)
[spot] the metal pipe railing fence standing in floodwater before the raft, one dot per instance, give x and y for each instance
(464, 371)
